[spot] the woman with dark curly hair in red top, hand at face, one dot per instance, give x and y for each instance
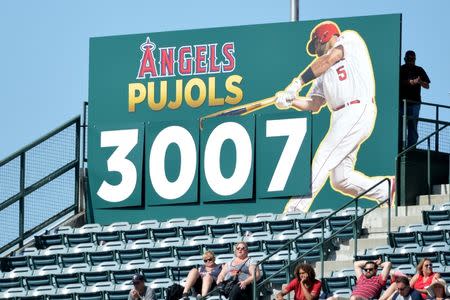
(305, 284)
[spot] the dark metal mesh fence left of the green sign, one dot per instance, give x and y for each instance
(39, 184)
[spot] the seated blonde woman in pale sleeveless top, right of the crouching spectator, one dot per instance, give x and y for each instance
(245, 270)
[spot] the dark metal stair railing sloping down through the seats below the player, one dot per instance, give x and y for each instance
(321, 224)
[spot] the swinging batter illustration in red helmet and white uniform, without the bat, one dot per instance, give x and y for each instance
(342, 78)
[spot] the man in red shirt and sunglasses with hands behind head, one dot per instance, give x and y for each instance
(369, 284)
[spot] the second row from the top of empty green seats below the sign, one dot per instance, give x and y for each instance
(170, 247)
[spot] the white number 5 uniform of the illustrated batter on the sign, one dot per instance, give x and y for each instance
(349, 90)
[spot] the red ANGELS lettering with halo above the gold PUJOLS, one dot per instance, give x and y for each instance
(186, 60)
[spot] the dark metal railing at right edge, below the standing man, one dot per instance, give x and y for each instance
(403, 153)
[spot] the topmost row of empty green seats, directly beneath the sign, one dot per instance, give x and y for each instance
(207, 225)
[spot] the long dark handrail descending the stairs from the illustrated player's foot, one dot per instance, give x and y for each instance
(321, 223)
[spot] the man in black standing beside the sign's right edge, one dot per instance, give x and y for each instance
(412, 79)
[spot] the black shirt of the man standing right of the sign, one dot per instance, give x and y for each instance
(408, 91)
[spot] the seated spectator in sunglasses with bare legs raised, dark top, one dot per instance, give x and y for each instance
(204, 278)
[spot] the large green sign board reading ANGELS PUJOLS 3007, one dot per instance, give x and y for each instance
(248, 119)
